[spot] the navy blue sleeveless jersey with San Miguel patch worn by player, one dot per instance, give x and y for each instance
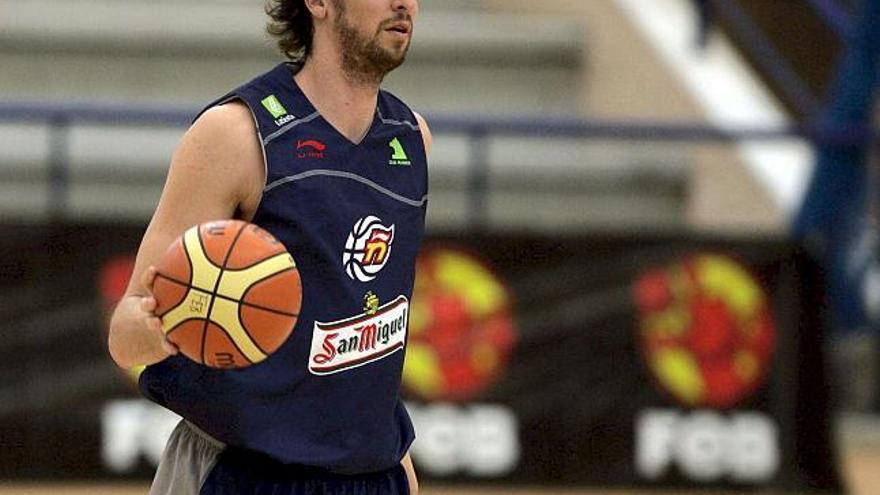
(352, 215)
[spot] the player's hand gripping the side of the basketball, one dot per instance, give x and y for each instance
(135, 323)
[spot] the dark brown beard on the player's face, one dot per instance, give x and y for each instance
(365, 60)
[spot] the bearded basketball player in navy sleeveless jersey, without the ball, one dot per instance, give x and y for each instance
(333, 167)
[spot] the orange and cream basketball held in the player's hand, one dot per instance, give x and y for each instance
(228, 294)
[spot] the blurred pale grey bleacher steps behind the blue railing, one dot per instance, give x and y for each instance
(184, 53)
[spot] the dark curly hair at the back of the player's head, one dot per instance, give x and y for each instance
(291, 23)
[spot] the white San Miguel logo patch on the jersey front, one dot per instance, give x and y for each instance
(373, 335)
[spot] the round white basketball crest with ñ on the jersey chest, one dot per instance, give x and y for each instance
(367, 249)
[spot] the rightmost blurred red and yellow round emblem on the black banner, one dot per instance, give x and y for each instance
(707, 333)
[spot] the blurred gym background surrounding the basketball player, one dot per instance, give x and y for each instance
(652, 250)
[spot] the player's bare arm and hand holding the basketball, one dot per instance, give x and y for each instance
(216, 172)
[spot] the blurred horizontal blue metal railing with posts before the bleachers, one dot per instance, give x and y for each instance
(60, 116)
